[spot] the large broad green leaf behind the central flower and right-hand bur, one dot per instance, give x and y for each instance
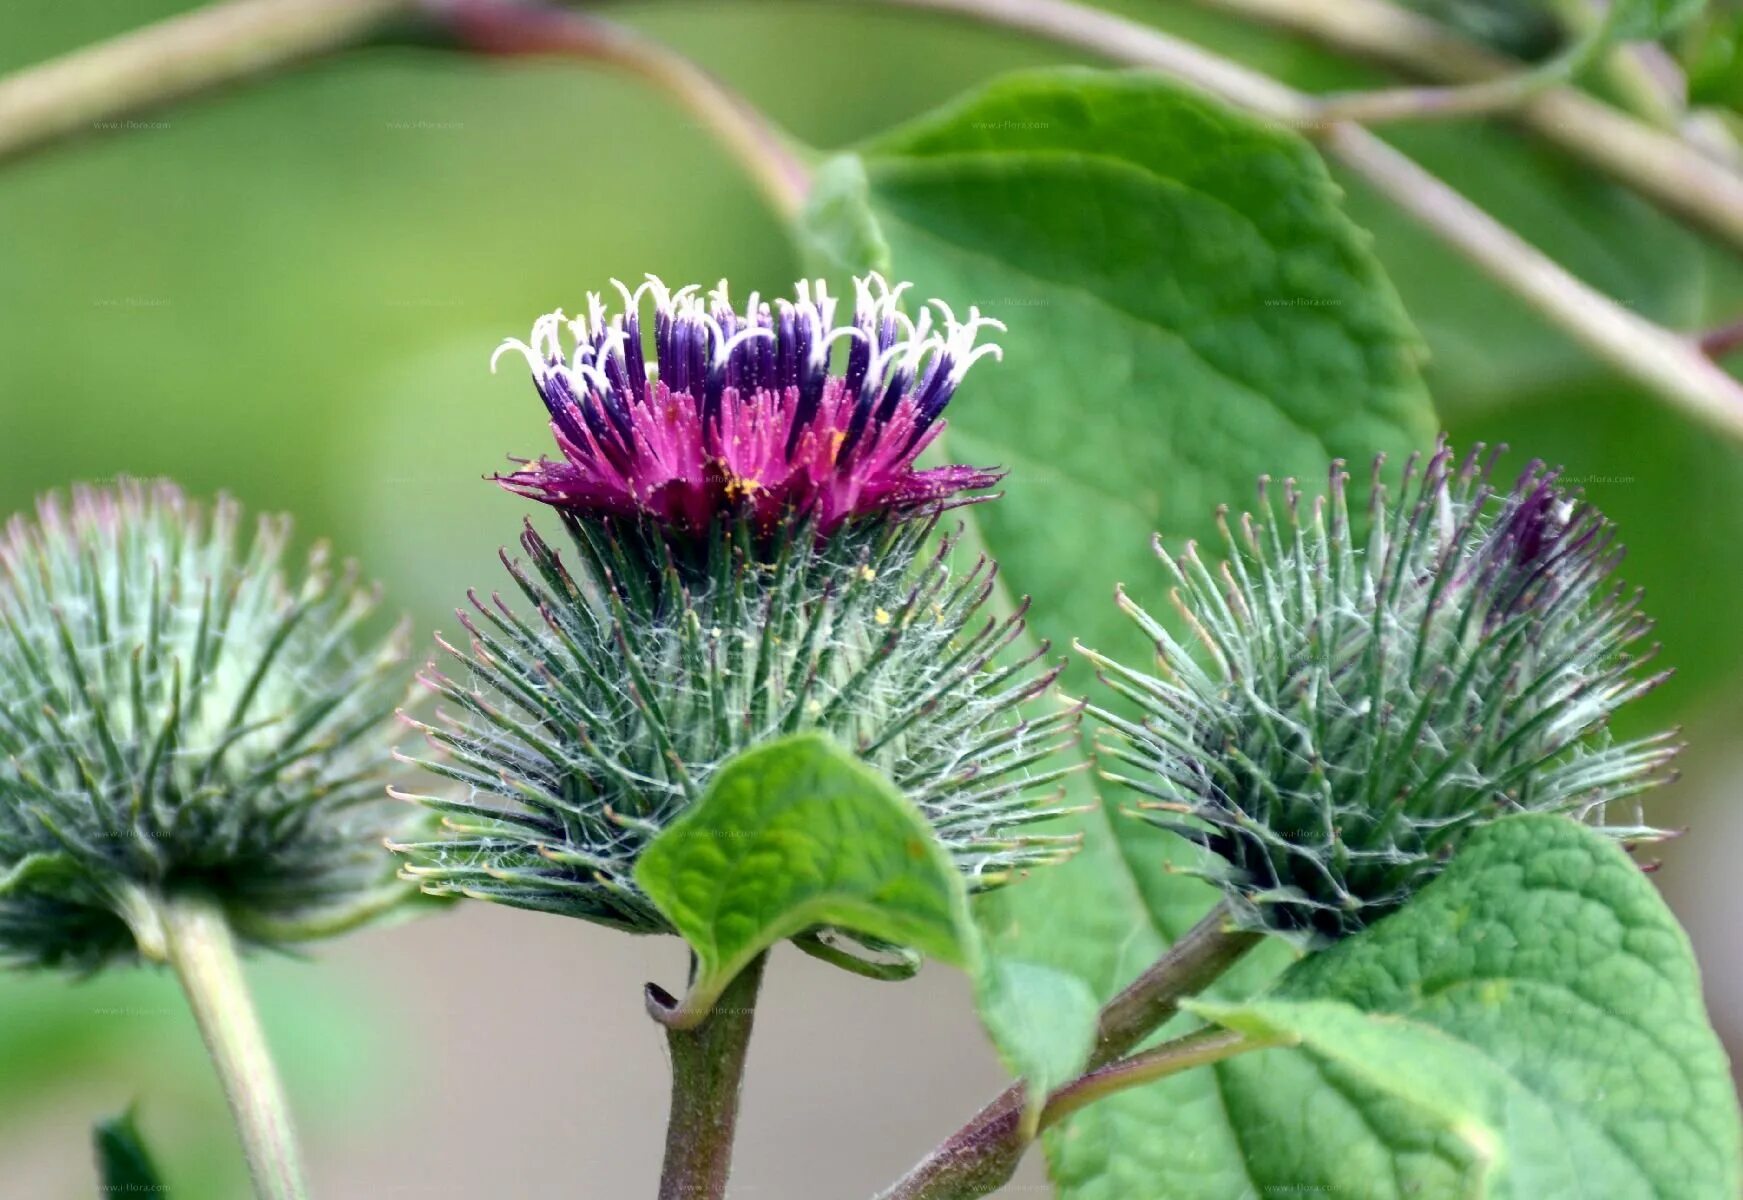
(1188, 310)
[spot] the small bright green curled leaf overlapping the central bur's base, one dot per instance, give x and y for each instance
(799, 835)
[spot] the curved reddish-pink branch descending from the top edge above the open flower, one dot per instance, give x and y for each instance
(510, 29)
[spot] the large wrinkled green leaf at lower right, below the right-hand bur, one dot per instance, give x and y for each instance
(1529, 1026)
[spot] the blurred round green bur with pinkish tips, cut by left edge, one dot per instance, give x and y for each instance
(179, 712)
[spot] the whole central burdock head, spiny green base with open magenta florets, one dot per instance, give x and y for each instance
(752, 554)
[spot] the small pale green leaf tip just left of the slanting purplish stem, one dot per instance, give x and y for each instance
(1043, 1023)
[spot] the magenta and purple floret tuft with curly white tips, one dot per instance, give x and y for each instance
(742, 418)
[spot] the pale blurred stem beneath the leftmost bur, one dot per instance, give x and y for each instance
(201, 950)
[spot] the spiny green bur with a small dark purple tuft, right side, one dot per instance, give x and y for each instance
(1343, 714)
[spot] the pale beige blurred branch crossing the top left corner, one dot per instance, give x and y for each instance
(182, 57)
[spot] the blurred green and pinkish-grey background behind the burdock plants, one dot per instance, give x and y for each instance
(290, 292)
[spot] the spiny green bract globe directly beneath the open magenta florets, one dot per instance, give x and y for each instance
(587, 730)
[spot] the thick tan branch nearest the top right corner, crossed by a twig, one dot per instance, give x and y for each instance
(1653, 163)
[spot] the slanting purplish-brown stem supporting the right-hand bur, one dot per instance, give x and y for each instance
(982, 1156)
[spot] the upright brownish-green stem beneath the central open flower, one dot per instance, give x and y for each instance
(707, 1077)
